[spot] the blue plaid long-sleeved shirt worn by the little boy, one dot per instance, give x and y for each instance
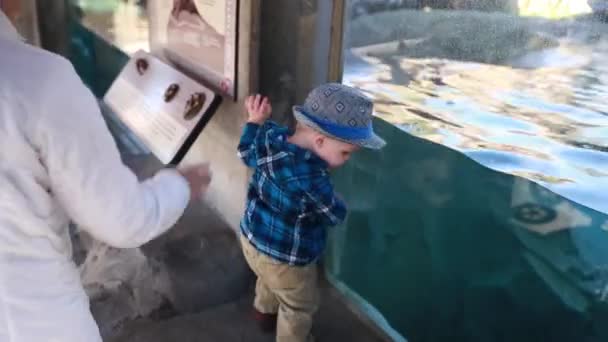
(290, 201)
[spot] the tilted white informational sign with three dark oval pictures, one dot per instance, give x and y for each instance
(165, 109)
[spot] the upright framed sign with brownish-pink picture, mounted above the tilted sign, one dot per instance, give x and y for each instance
(199, 36)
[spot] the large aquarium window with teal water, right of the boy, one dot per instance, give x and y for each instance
(484, 219)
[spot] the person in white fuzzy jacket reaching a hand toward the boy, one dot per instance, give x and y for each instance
(58, 163)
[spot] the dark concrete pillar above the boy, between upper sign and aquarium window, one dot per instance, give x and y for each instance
(294, 51)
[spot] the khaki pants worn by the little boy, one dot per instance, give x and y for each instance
(290, 291)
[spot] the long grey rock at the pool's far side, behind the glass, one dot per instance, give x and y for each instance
(493, 38)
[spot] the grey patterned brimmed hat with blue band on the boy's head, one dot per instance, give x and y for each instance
(340, 112)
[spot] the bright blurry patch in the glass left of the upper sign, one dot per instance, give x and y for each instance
(123, 23)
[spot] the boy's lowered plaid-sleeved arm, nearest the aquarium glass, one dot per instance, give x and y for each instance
(330, 208)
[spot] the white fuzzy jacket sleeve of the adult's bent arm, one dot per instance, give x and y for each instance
(87, 176)
